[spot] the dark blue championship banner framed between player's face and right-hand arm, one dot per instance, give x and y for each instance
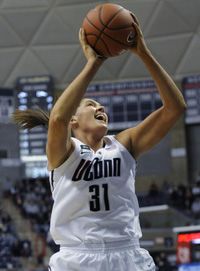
(126, 103)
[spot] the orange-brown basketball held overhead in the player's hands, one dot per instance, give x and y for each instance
(109, 29)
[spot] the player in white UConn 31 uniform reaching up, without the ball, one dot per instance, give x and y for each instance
(95, 216)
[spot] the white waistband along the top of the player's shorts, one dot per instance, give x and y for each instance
(103, 246)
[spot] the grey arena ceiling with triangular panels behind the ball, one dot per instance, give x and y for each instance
(41, 37)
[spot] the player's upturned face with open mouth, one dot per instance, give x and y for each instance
(91, 116)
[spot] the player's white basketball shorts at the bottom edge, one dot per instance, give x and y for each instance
(113, 256)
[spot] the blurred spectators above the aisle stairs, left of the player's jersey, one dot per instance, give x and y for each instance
(33, 198)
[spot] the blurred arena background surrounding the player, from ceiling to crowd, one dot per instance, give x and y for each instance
(39, 56)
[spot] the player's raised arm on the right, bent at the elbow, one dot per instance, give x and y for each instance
(151, 130)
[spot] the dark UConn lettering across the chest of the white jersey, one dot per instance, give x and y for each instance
(88, 170)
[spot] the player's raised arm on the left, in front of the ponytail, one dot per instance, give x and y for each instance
(59, 144)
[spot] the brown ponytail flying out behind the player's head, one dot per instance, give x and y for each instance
(30, 118)
